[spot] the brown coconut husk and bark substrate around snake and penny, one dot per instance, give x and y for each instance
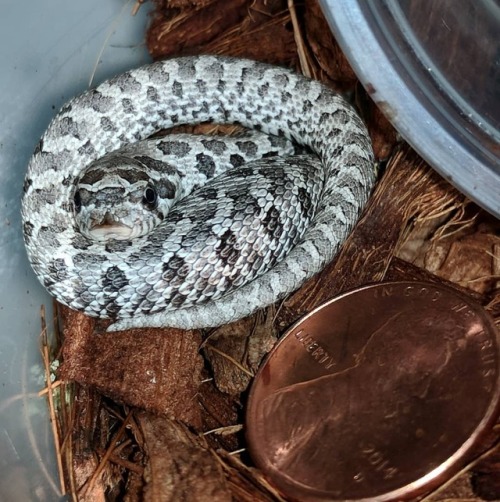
(157, 414)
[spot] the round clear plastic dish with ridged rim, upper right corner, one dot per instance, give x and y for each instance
(434, 68)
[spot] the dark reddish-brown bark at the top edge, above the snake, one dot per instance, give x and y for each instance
(238, 28)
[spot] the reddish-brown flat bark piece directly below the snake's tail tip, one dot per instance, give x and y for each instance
(147, 368)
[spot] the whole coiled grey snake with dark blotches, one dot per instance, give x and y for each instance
(168, 232)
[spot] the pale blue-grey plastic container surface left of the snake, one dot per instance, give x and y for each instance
(49, 52)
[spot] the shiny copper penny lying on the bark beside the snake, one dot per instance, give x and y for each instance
(376, 395)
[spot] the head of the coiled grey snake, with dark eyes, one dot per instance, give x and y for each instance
(119, 198)
